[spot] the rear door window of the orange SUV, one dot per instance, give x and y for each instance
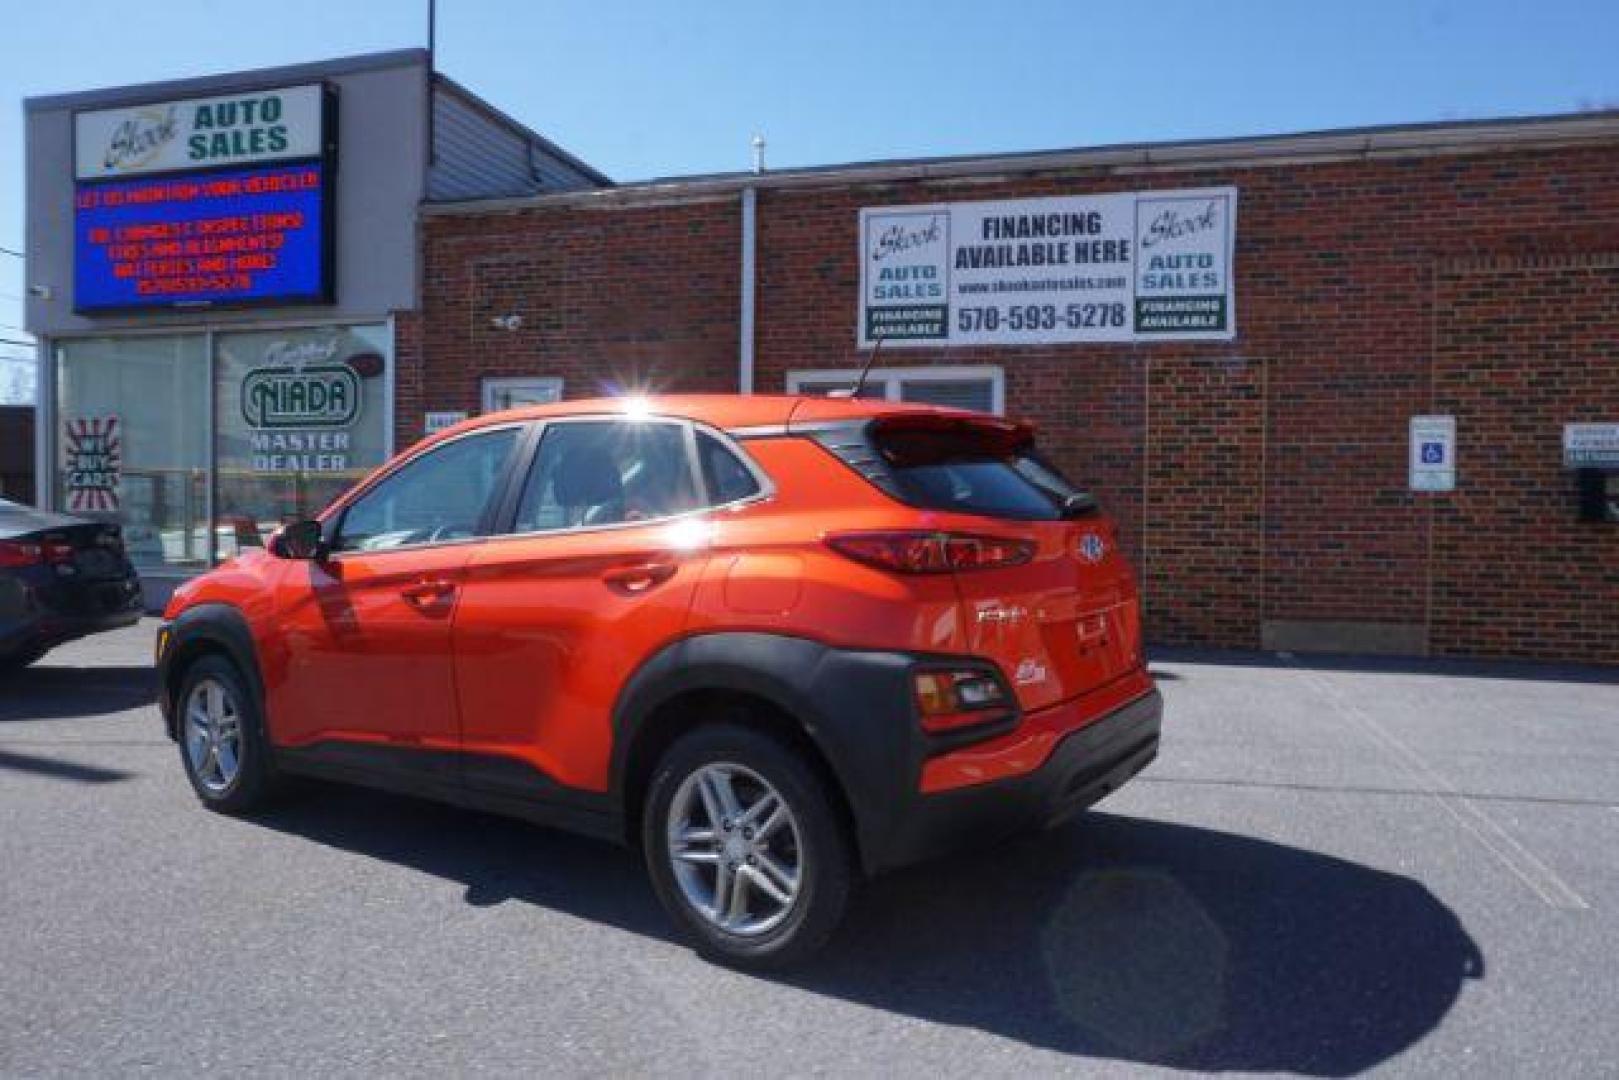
(606, 472)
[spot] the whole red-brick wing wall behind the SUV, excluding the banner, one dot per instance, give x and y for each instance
(1262, 483)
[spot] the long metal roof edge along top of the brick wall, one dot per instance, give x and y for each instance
(1243, 151)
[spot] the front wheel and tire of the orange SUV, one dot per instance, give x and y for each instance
(221, 733)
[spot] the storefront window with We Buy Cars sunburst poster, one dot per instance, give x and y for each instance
(134, 443)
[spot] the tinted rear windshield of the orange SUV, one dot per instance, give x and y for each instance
(975, 470)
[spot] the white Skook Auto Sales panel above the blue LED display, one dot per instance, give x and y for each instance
(200, 134)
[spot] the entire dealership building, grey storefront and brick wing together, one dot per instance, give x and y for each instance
(1256, 399)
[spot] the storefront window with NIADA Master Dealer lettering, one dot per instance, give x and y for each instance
(302, 415)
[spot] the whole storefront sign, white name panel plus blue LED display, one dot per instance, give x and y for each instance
(210, 202)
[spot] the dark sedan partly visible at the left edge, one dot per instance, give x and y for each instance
(61, 579)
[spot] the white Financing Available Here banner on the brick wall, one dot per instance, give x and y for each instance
(1137, 266)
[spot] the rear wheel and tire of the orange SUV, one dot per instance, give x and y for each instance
(739, 919)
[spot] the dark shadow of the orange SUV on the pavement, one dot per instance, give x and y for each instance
(1113, 938)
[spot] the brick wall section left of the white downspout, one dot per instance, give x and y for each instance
(608, 299)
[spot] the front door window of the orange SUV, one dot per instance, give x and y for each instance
(438, 498)
